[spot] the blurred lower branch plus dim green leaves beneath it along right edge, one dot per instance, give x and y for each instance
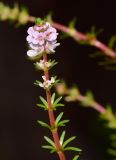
(105, 113)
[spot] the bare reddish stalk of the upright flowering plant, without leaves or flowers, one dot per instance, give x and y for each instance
(52, 117)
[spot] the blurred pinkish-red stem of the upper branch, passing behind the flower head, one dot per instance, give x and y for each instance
(81, 37)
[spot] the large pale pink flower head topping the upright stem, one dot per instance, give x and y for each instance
(41, 38)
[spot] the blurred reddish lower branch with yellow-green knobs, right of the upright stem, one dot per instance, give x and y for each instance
(87, 100)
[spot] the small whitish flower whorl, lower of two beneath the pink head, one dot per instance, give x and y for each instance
(47, 83)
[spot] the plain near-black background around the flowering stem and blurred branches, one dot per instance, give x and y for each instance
(20, 136)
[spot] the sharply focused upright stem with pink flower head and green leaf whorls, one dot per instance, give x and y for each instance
(42, 39)
